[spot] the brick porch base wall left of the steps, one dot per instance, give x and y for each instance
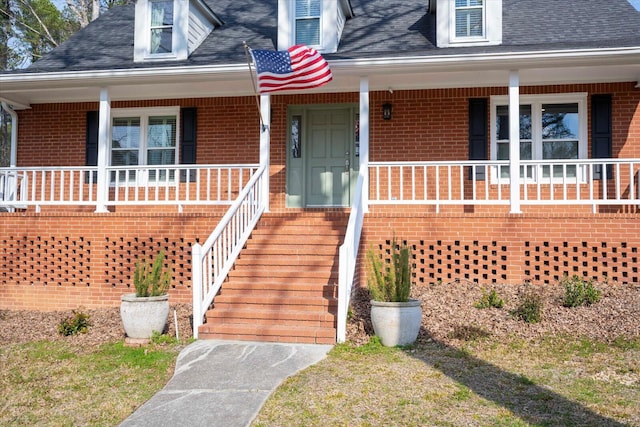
(61, 261)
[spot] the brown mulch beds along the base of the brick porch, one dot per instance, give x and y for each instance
(448, 311)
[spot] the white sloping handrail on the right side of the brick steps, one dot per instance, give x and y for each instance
(348, 259)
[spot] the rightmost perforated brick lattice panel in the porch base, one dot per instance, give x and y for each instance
(597, 261)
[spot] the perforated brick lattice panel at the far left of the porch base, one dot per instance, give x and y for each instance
(42, 260)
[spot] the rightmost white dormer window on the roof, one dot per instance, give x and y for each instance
(468, 22)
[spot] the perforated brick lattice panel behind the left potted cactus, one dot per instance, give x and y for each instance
(122, 253)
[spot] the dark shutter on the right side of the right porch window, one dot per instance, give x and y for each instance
(601, 132)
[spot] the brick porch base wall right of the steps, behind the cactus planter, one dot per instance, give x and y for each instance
(506, 248)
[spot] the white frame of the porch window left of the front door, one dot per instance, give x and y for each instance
(143, 114)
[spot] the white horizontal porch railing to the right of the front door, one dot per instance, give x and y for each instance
(570, 182)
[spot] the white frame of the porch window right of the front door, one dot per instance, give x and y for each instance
(536, 102)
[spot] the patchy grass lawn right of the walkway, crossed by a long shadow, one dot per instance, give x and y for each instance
(552, 381)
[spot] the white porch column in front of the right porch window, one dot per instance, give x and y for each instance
(514, 140)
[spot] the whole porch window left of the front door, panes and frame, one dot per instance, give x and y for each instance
(144, 138)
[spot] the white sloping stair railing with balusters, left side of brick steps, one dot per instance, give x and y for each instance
(212, 261)
